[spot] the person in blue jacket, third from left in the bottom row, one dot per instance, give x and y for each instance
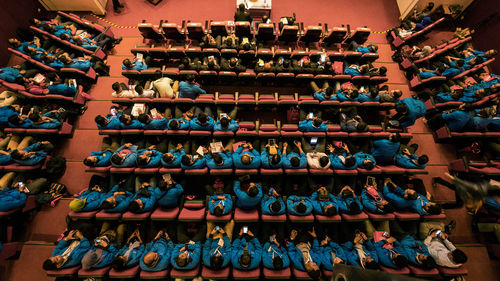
(129, 254)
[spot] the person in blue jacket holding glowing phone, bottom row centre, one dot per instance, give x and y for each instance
(246, 252)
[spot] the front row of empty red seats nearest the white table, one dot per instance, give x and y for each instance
(191, 31)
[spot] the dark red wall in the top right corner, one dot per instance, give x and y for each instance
(484, 17)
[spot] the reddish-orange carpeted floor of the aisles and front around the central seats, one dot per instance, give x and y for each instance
(379, 15)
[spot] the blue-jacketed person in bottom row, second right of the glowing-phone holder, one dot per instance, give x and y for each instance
(304, 252)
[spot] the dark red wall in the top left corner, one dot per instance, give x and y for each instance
(14, 14)
